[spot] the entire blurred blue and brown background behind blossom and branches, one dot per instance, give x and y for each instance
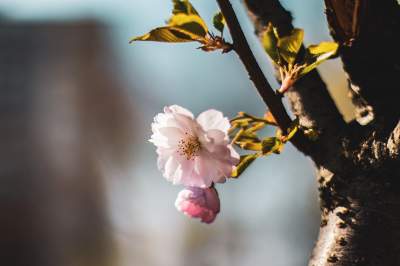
(78, 179)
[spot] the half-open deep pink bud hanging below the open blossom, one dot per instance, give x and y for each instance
(199, 203)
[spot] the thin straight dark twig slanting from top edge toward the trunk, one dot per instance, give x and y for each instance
(245, 54)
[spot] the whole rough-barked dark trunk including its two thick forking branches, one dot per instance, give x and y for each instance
(358, 165)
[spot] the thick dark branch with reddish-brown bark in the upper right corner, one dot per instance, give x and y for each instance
(367, 31)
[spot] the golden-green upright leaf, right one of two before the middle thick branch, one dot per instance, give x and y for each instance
(289, 46)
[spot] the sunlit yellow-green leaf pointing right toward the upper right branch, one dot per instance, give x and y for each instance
(316, 54)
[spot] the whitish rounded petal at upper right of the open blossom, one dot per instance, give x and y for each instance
(213, 119)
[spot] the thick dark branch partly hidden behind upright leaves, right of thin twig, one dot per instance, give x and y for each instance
(310, 92)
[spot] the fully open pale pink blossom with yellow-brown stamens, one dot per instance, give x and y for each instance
(193, 152)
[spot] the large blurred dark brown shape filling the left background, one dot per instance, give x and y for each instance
(61, 115)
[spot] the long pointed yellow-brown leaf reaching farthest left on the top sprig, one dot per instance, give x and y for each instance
(167, 34)
